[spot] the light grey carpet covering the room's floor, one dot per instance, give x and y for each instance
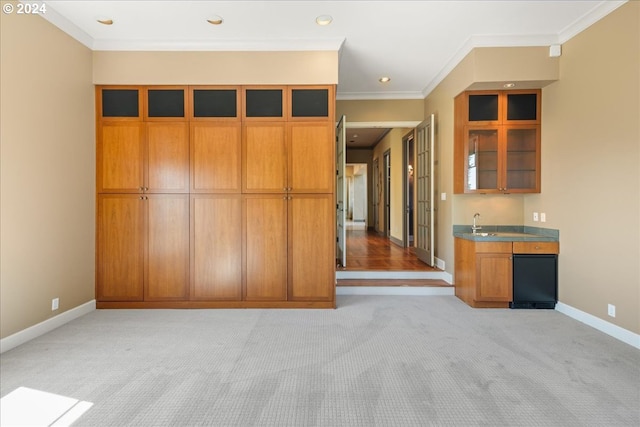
(377, 360)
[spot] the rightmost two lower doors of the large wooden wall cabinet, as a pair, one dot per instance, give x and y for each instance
(287, 258)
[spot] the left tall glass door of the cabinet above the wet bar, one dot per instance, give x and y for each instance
(482, 159)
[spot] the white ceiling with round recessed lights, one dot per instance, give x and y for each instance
(415, 43)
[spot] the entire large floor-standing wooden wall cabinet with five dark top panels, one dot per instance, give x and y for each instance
(215, 196)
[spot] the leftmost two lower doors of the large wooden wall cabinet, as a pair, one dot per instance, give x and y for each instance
(143, 247)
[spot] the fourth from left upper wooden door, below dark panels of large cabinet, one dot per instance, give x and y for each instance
(264, 158)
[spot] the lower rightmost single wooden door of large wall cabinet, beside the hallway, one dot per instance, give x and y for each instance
(312, 247)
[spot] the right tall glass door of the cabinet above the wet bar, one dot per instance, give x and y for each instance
(522, 159)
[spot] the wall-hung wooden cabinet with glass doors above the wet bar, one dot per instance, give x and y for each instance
(497, 142)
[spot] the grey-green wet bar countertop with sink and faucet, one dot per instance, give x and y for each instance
(507, 233)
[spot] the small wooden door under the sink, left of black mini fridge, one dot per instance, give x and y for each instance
(494, 281)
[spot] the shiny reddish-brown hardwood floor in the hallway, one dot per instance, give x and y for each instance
(368, 251)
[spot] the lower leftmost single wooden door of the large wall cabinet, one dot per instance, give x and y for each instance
(120, 248)
